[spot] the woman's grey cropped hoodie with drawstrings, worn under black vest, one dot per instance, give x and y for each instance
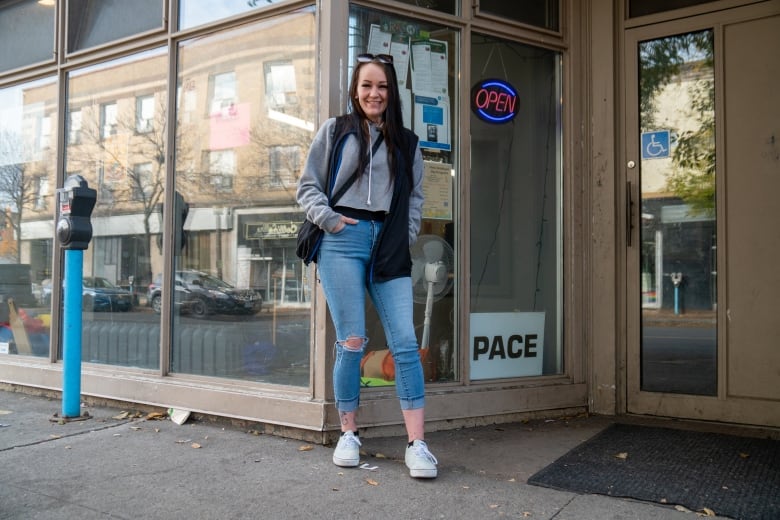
(373, 191)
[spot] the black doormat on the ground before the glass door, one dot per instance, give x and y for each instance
(737, 477)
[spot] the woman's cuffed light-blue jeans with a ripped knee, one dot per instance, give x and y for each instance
(343, 264)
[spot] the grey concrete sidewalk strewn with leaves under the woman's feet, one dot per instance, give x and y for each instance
(117, 465)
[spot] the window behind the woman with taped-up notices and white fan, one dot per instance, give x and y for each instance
(425, 58)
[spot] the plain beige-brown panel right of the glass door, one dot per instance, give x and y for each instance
(752, 186)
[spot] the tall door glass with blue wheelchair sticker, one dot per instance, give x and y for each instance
(671, 176)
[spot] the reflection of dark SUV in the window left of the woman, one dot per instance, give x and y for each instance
(202, 294)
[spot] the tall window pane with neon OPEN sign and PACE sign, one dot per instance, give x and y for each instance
(515, 227)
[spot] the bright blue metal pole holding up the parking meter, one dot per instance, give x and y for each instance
(71, 337)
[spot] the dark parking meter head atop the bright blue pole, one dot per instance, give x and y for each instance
(76, 202)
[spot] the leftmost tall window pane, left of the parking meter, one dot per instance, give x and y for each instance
(28, 119)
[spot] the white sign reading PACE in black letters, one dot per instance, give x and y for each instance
(506, 344)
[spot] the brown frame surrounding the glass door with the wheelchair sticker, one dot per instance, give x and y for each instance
(721, 407)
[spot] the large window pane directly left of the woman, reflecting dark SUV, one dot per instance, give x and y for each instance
(246, 116)
